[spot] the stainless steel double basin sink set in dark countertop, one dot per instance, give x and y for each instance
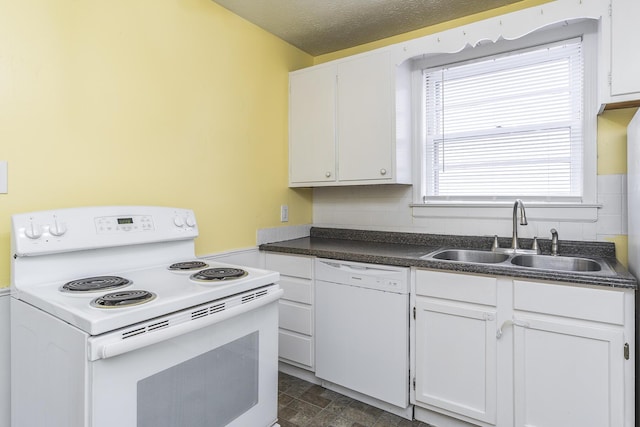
(540, 262)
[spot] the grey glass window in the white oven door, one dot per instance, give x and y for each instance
(209, 390)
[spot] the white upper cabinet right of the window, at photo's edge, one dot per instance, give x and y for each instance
(621, 35)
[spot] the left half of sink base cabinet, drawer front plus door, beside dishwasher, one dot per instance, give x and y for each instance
(455, 344)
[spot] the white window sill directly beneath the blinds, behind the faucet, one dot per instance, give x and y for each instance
(574, 212)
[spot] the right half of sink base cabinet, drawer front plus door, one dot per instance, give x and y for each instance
(572, 355)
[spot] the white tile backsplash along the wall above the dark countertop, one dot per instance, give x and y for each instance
(386, 208)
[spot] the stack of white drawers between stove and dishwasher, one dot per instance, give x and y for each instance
(296, 334)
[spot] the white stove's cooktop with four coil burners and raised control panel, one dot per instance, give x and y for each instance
(115, 244)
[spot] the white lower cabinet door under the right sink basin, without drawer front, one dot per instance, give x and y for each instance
(567, 375)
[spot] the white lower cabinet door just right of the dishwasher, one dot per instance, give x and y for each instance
(456, 358)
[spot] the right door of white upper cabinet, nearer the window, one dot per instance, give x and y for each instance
(366, 109)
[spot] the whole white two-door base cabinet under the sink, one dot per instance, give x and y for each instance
(497, 351)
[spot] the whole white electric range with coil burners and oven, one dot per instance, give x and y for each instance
(112, 308)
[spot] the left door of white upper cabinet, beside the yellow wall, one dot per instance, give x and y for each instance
(312, 125)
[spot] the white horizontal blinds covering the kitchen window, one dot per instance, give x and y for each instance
(506, 126)
